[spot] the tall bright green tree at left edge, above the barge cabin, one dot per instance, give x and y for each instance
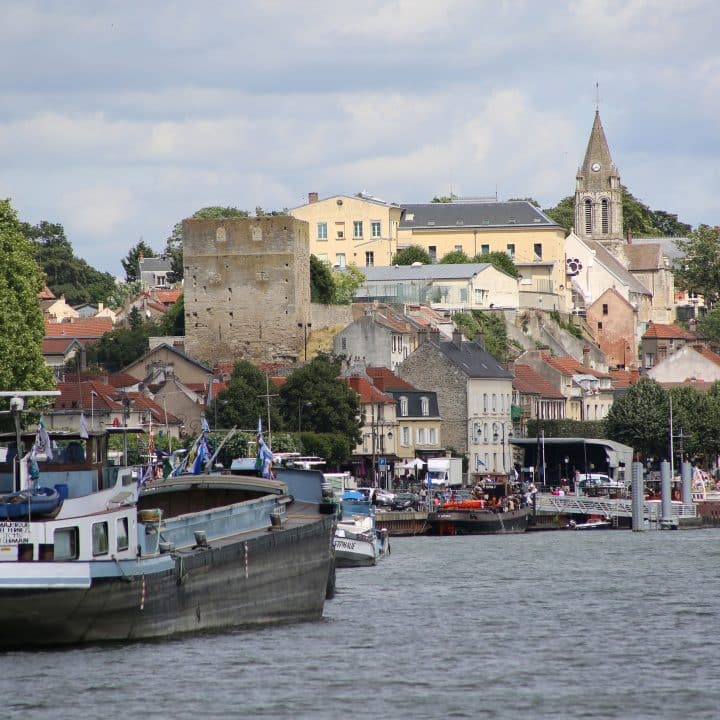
(22, 366)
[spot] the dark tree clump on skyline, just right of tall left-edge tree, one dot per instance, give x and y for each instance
(66, 274)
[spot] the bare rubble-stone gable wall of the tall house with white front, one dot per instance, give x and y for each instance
(428, 369)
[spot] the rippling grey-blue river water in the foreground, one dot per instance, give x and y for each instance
(610, 624)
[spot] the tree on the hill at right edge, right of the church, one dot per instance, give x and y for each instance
(698, 270)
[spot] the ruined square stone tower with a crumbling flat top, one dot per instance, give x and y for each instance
(247, 288)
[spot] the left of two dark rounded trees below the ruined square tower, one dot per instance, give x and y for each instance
(244, 401)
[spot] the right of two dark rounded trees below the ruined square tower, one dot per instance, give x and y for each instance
(334, 406)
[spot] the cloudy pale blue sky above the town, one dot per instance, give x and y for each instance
(119, 119)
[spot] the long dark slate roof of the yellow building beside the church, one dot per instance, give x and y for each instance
(474, 215)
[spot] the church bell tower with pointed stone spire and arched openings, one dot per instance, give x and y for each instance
(598, 196)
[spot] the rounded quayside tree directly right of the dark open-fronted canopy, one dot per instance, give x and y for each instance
(640, 419)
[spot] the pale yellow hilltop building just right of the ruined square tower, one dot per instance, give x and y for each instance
(351, 230)
